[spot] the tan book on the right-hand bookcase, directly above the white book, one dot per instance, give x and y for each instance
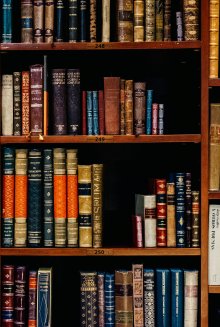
(214, 147)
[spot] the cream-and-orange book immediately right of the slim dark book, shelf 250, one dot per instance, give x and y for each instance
(60, 196)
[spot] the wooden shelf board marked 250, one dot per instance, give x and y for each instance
(100, 252)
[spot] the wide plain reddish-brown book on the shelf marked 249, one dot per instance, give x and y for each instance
(111, 100)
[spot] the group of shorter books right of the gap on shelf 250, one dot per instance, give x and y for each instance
(169, 217)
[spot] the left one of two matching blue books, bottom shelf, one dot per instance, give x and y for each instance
(163, 298)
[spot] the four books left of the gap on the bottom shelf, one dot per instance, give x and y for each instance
(26, 296)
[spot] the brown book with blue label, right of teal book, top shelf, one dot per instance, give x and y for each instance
(26, 21)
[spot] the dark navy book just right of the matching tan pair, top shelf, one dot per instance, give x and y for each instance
(59, 21)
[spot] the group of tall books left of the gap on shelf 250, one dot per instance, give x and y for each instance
(48, 199)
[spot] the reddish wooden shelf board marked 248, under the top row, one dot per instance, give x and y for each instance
(100, 46)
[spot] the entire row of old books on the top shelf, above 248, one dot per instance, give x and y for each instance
(134, 20)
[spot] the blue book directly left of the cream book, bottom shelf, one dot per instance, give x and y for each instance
(177, 297)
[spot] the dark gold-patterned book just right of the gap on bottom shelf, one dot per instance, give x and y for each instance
(89, 298)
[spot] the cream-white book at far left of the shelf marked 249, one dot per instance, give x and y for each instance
(7, 104)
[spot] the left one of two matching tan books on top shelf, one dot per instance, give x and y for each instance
(38, 21)
